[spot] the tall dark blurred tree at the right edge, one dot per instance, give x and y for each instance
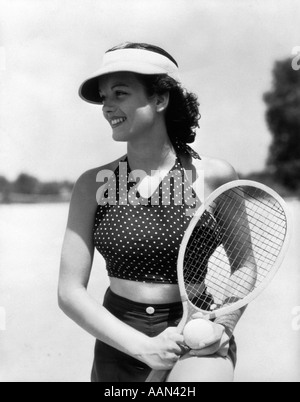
(283, 119)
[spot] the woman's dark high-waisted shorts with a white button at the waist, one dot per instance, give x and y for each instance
(111, 365)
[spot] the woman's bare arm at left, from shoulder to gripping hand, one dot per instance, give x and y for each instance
(76, 263)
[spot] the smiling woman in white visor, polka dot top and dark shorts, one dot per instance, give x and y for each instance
(139, 233)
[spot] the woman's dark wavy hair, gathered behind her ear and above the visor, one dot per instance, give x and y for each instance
(182, 114)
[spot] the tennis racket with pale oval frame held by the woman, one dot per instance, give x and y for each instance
(230, 251)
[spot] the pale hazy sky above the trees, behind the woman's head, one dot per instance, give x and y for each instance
(225, 50)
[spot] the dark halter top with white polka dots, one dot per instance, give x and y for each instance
(140, 240)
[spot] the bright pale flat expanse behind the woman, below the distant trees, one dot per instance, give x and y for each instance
(40, 344)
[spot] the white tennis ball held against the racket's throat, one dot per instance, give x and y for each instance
(197, 331)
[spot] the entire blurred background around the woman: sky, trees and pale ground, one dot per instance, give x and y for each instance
(242, 59)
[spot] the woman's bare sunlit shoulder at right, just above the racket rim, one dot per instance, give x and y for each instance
(217, 172)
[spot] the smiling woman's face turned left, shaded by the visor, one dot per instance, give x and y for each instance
(126, 106)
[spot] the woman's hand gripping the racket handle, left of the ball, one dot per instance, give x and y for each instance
(164, 350)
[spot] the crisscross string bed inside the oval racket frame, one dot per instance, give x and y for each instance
(233, 251)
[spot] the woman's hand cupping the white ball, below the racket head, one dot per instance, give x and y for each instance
(218, 343)
